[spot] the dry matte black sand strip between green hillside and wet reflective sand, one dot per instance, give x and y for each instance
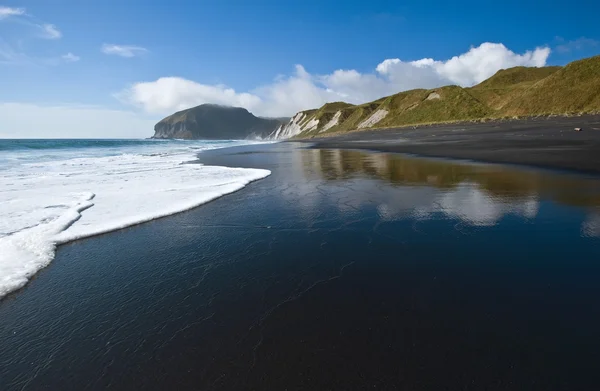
(547, 142)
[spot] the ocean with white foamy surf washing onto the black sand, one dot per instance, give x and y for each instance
(56, 191)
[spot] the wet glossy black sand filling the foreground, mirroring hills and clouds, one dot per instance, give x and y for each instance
(343, 270)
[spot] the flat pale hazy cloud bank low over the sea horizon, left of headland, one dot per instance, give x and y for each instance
(23, 120)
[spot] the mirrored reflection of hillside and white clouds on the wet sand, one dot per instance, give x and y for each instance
(478, 194)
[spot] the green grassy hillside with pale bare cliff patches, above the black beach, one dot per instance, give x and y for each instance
(518, 91)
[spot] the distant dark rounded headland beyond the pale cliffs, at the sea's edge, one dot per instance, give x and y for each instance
(214, 122)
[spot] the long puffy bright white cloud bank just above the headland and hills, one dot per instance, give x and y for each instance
(300, 91)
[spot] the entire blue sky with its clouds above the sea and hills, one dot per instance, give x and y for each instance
(132, 62)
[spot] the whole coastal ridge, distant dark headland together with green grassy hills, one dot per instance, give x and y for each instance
(510, 93)
